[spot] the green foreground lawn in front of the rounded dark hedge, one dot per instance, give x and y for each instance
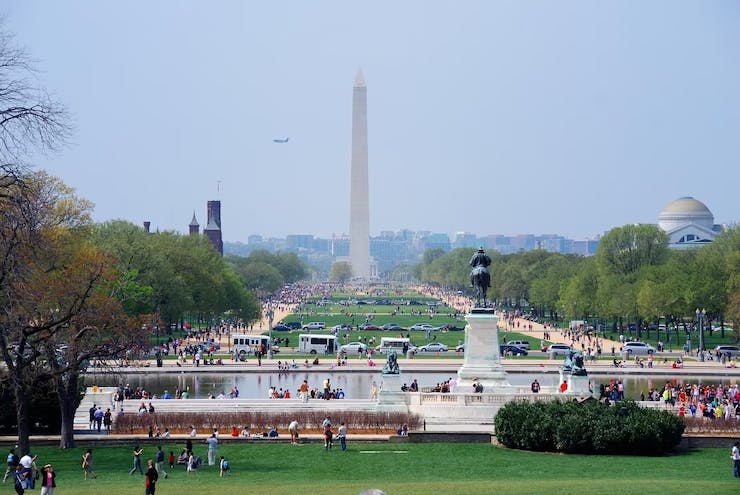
(397, 468)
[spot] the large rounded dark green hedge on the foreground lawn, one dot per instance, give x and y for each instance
(588, 428)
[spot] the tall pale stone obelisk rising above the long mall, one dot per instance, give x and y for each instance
(359, 214)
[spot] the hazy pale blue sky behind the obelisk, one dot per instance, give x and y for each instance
(493, 117)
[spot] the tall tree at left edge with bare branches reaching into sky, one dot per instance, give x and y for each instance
(30, 121)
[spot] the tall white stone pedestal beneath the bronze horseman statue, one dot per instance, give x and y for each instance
(482, 356)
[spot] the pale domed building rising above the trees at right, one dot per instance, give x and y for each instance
(688, 223)
